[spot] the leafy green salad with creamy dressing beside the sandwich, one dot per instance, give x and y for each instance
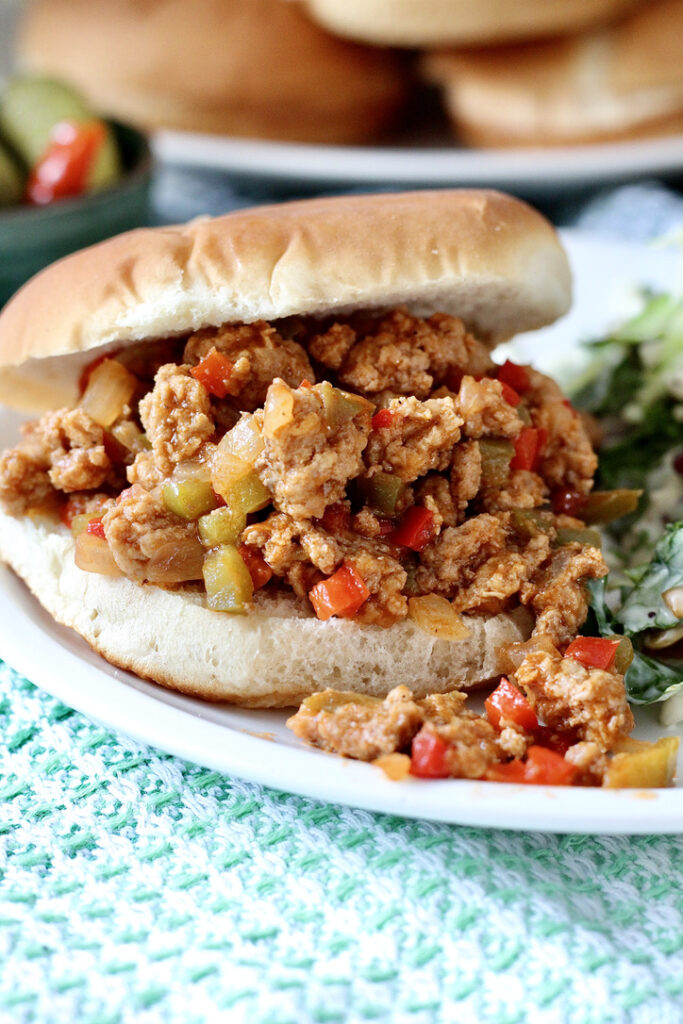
(633, 388)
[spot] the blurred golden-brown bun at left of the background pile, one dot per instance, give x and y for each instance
(250, 68)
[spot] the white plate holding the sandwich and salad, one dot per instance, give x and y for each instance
(257, 746)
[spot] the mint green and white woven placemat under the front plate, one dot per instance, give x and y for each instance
(136, 887)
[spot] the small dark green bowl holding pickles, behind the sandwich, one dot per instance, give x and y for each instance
(32, 237)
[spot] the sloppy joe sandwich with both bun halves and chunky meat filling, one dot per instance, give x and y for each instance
(276, 454)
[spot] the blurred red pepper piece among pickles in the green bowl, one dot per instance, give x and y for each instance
(64, 168)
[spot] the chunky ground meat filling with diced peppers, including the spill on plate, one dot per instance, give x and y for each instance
(378, 467)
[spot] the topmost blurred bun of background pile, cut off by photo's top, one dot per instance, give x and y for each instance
(430, 23)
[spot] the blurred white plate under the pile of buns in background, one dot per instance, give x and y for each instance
(419, 164)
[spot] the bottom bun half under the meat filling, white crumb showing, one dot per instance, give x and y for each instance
(273, 658)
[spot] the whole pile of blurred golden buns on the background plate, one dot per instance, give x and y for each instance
(529, 73)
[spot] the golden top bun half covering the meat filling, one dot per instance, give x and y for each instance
(484, 257)
